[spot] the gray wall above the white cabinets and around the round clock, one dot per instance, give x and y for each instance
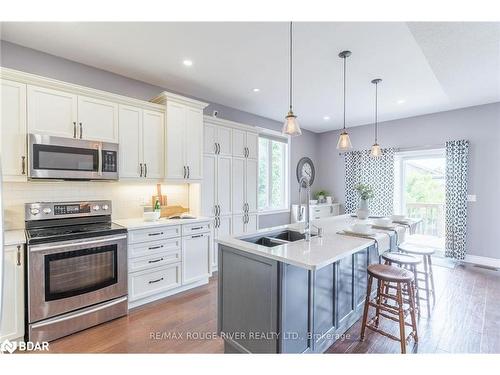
(36, 62)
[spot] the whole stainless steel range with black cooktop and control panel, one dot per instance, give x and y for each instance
(77, 268)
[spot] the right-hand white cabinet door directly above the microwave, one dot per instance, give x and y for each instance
(97, 119)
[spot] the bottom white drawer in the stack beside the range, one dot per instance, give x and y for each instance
(146, 283)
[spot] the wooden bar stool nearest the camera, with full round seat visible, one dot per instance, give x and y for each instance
(398, 313)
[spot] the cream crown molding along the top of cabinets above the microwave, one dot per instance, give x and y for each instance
(33, 79)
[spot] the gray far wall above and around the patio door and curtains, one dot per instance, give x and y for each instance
(480, 125)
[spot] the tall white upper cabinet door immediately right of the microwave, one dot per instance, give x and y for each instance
(130, 120)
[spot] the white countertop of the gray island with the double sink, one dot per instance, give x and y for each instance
(318, 252)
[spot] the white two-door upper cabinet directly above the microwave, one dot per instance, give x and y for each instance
(64, 114)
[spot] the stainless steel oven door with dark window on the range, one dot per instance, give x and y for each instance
(66, 276)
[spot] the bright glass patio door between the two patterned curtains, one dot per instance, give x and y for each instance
(420, 192)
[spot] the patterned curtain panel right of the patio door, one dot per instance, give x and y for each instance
(456, 198)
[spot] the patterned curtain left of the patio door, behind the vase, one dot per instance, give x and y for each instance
(378, 172)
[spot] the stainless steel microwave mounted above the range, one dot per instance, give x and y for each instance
(71, 159)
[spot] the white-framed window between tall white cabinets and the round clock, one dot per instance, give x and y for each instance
(273, 174)
